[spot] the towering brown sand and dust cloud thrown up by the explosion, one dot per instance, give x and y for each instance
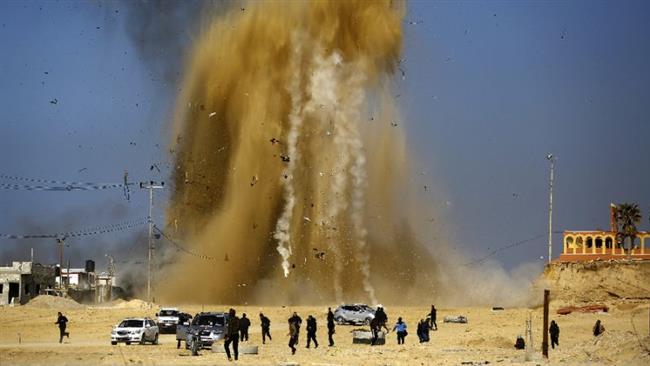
(288, 170)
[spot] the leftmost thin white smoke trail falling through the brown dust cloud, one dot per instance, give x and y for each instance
(283, 226)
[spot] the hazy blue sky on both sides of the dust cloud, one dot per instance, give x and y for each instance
(490, 89)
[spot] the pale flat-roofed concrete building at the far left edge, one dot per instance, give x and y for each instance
(23, 281)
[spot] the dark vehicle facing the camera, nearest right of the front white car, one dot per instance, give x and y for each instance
(209, 327)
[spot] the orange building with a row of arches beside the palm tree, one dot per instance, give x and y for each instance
(602, 245)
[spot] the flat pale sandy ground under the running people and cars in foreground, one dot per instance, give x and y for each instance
(489, 336)
